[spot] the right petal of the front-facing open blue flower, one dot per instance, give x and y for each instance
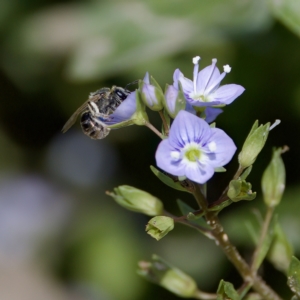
(225, 148)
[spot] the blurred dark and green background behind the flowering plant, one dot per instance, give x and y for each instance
(61, 237)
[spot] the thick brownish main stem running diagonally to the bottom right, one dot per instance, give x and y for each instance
(231, 252)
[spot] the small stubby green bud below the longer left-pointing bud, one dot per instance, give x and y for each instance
(159, 226)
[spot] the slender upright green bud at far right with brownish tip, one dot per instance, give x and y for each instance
(273, 180)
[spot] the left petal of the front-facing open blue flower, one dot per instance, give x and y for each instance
(165, 162)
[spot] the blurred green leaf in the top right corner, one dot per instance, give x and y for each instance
(287, 11)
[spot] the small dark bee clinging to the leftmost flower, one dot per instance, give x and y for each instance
(96, 110)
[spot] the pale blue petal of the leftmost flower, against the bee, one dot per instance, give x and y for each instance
(124, 111)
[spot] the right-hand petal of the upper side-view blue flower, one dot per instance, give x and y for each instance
(227, 93)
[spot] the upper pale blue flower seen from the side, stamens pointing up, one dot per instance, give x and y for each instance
(205, 89)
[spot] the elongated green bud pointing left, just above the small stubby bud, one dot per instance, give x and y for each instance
(137, 200)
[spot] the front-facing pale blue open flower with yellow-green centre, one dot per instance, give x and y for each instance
(193, 149)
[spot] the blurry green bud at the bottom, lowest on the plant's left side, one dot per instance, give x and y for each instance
(169, 277)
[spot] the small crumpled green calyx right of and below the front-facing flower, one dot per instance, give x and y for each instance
(240, 190)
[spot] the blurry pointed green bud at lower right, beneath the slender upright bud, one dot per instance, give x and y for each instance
(281, 251)
